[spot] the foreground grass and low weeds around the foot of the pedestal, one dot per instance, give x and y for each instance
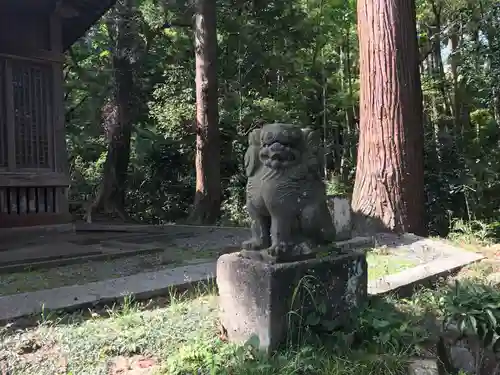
(180, 336)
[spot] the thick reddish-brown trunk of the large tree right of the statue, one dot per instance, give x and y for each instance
(389, 187)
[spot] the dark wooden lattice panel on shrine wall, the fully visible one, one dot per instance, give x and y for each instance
(31, 84)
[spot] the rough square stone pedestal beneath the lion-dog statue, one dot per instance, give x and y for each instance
(271, 301)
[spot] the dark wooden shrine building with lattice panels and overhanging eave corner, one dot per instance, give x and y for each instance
(33, 158)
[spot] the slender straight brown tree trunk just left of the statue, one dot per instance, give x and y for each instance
(207, 200)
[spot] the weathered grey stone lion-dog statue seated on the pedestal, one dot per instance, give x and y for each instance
(286, 197)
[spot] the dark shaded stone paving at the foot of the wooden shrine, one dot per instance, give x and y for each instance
(92, 242)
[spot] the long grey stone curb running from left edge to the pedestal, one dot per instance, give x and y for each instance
(141, 286)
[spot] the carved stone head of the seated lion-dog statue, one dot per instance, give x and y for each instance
(282, 145)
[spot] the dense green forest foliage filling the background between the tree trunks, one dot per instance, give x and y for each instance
(287, 61)
